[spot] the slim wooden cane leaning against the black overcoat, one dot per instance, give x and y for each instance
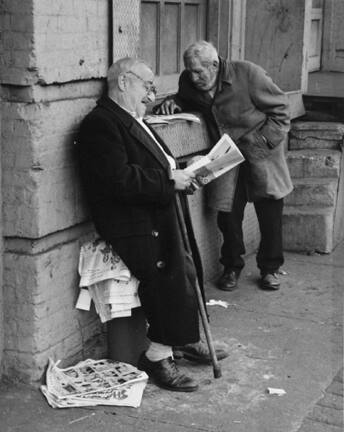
(204, 319)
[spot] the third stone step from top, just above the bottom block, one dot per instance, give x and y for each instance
(314, 192)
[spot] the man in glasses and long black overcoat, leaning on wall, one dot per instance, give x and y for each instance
(132, 185)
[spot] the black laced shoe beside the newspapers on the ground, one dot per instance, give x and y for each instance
(166, 375)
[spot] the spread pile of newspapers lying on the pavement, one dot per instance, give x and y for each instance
(94, 382)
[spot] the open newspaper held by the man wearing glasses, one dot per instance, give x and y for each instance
(224, 156)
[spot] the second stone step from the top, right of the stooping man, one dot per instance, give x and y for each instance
(314, 163)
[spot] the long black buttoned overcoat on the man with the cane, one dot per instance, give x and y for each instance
(127, 184)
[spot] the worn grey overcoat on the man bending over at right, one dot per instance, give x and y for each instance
(254, 111)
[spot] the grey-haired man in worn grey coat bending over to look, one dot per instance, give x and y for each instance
(240, 99)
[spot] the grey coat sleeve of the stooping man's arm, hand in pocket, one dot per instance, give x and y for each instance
(272, 101)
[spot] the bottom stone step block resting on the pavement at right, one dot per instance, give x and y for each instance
(308, 229)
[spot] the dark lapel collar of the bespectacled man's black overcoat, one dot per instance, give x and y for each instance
(136, 130)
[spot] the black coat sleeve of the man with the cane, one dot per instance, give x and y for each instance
(109, 173)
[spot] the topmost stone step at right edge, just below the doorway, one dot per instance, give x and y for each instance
(316, 135)
